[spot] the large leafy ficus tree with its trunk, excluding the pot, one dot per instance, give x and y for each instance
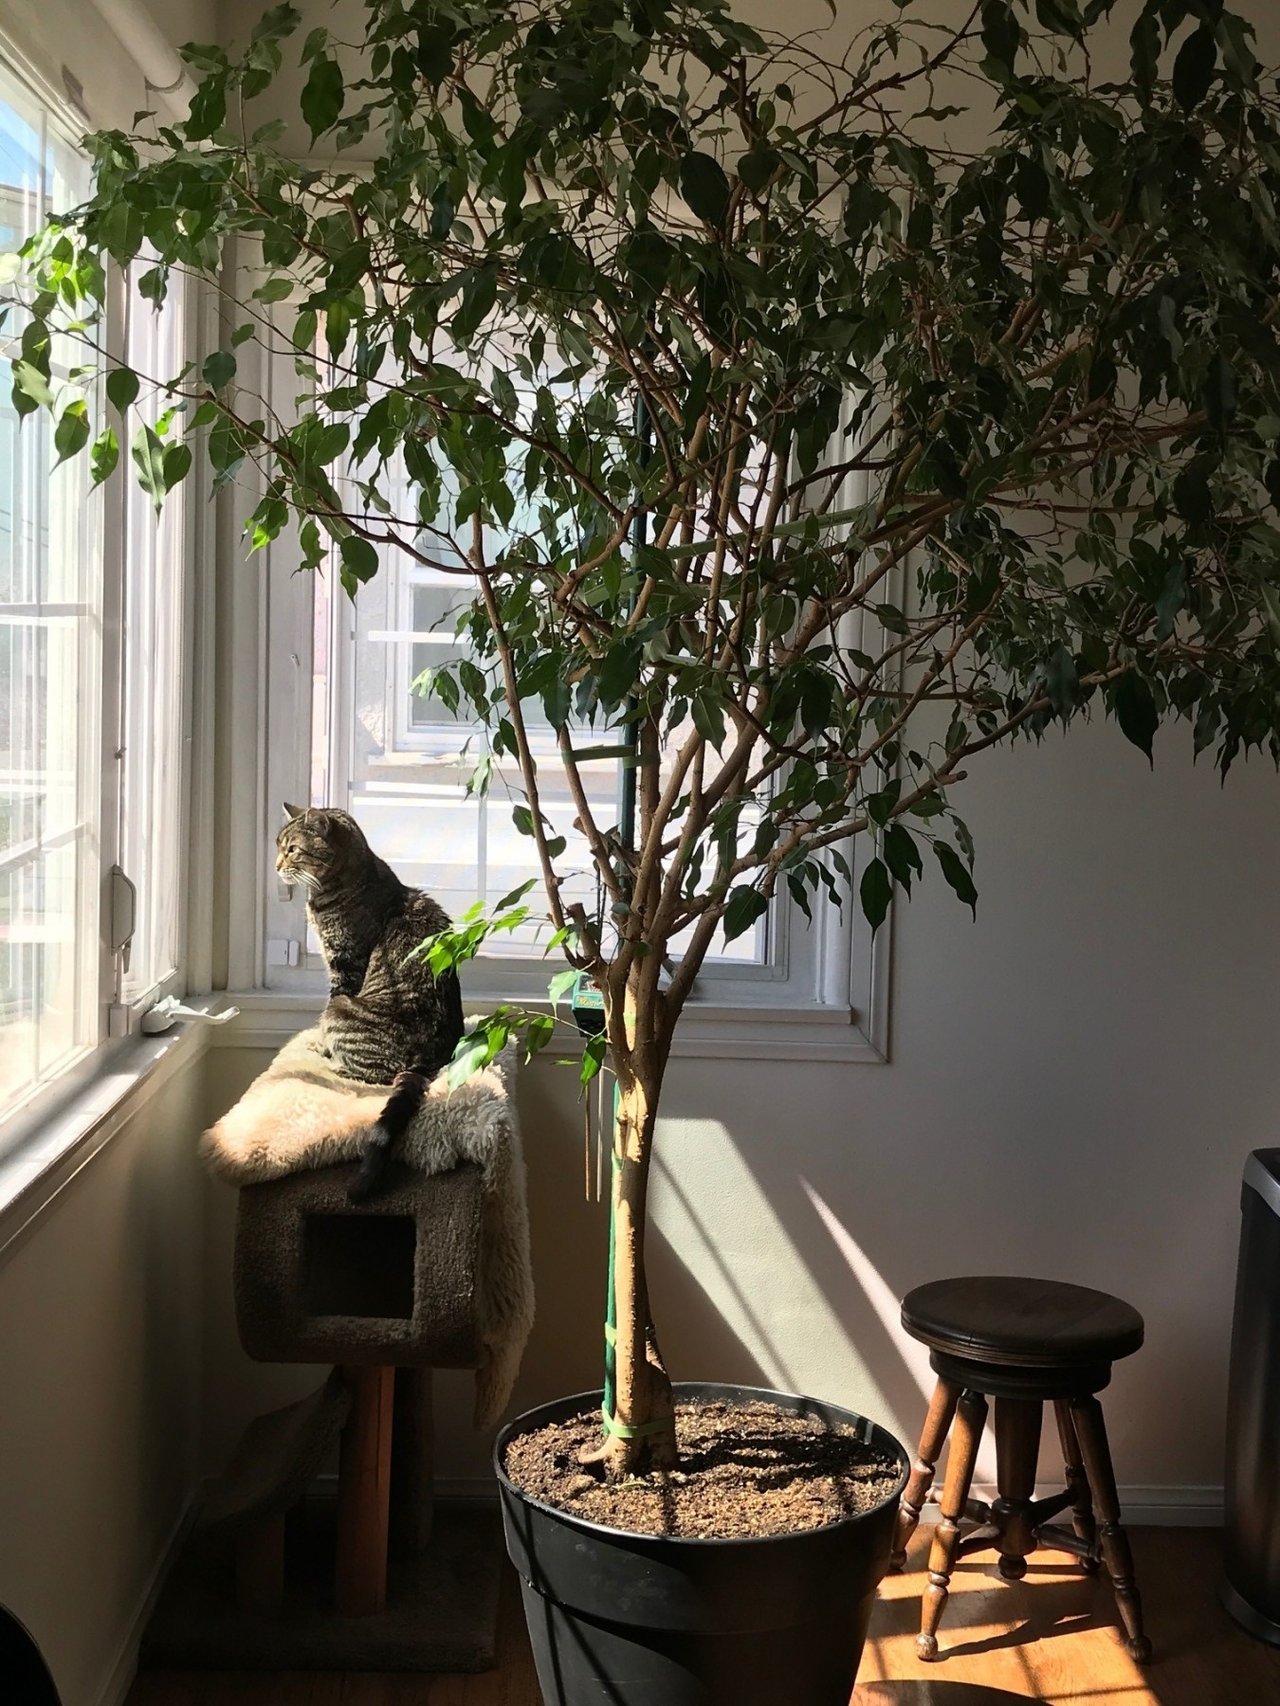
(803, 417)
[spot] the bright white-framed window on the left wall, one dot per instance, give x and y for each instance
(93, 717)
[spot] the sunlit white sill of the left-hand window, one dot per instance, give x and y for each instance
(52, 1140)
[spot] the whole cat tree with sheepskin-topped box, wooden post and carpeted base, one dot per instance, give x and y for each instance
(431, 1274)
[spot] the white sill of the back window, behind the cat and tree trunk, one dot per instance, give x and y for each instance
(709, 1030)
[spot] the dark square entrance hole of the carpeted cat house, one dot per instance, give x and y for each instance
(359, 1265)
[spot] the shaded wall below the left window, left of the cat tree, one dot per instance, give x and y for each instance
(102, 1391)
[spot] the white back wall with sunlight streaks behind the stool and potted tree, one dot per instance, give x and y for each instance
(1074, 1084)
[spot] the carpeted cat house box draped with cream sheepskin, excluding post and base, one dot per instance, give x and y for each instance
(434, 1270)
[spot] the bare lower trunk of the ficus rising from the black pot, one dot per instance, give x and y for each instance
(643, 1432)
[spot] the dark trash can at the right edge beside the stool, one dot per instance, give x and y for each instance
(1252, 1575)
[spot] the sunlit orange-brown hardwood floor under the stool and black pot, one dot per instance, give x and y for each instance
(1047, 1639)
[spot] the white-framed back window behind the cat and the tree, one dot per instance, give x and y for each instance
(342, 726)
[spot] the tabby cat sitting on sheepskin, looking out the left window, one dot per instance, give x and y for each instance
(388, 1019)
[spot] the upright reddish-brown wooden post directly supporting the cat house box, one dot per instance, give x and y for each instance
(364, 1494)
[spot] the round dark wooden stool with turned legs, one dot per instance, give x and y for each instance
(1025, 1343)
